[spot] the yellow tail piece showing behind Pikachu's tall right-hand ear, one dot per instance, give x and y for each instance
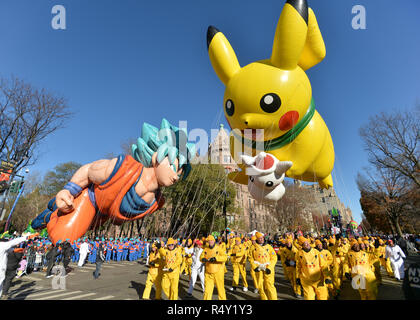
(314, 50)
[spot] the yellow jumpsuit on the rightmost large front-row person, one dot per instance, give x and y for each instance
(363, 278)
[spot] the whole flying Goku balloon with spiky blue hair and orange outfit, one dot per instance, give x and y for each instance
(122, 189)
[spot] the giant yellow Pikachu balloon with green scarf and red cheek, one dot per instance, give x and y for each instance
(275, 95)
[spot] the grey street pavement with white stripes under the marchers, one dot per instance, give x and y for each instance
(125, 280)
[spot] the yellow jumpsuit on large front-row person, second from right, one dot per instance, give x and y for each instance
(309, 269)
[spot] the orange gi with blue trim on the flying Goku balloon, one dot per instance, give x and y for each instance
(113, 199)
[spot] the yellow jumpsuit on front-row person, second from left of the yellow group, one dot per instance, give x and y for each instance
(170, 279)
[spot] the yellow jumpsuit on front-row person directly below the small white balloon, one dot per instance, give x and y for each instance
(265, 282)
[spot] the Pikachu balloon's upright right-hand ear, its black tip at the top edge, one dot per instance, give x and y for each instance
(290, 37)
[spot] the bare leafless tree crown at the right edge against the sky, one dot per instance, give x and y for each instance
(392, 141)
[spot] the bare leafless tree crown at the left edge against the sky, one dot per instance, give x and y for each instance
(27, 116)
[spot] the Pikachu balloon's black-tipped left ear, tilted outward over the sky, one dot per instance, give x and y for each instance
(222, 56)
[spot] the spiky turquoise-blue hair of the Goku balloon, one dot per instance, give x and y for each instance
(168, 141)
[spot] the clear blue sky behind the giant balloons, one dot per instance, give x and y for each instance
(120, 63)
